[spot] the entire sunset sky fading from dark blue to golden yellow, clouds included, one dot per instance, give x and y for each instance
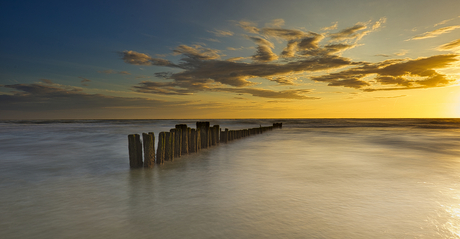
(229, 59)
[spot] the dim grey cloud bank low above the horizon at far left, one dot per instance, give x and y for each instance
(39, 97)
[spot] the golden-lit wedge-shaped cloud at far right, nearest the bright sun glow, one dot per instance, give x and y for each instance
(405, 74)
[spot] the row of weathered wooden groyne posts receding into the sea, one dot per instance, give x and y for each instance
(183, 140)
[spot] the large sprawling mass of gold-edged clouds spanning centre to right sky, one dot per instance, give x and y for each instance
(304, 52)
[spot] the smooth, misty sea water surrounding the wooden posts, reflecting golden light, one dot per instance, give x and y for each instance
(316, 178)
